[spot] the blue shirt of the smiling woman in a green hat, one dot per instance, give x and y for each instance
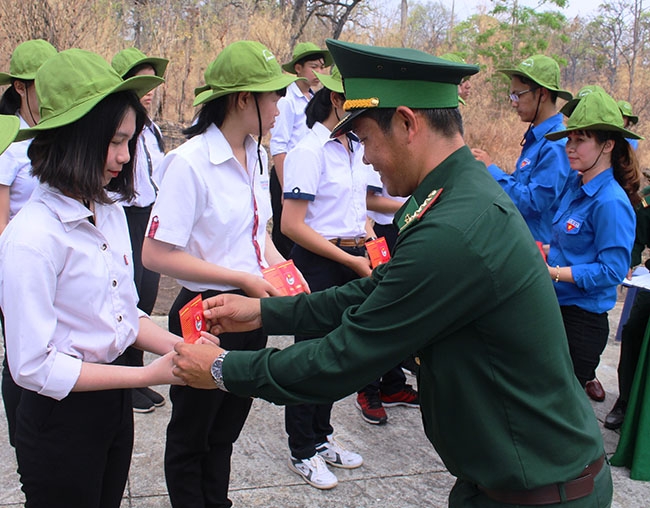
(593, 233)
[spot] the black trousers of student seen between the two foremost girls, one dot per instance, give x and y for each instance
(146, 281)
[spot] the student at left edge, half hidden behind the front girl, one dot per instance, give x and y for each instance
(16, 181)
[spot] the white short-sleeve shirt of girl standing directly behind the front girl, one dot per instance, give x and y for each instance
(205, 204)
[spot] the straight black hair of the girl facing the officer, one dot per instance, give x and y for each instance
(72, 158)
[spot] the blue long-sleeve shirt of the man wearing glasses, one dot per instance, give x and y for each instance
(539, 178)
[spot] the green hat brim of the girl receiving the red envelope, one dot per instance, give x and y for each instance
(139, 84)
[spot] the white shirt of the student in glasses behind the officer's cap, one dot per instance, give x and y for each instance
(290, 125)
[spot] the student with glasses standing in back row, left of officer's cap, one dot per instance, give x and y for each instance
(290, 126)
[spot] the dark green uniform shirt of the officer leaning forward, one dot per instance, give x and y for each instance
(469, 292)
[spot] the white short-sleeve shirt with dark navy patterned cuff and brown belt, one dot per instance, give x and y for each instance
(334, 181)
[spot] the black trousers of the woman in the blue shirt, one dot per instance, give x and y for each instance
(587, 333)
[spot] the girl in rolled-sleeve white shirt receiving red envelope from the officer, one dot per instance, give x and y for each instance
(71, 315)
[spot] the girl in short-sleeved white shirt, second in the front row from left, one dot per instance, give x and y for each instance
(208, 230)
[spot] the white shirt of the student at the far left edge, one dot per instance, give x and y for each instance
(15, 172)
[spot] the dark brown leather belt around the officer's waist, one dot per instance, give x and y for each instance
(578, 488)
